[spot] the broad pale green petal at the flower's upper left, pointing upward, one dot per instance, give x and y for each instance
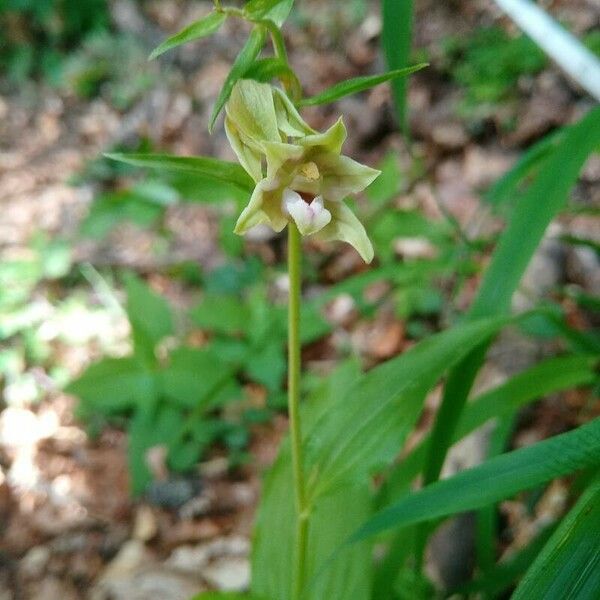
(252, 110)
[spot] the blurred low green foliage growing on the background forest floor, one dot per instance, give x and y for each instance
(74, 47)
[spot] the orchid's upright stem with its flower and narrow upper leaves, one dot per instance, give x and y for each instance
(298, 178)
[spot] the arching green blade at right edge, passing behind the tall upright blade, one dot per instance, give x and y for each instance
(547, 377)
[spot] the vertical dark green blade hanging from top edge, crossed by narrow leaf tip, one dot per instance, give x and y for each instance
(396, 40)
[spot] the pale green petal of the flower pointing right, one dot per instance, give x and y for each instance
(343, 176)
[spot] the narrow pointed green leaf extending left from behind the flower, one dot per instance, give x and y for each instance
(208, 168)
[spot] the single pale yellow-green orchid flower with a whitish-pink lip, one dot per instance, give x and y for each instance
(300, 174)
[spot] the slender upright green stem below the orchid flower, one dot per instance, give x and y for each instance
(294, 271)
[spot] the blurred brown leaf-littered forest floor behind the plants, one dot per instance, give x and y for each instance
(69, 526)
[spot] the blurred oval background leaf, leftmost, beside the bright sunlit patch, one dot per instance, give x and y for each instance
(113, 385)
